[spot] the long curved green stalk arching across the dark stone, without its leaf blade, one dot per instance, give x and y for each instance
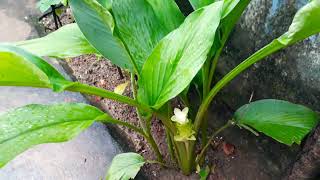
(259, 55)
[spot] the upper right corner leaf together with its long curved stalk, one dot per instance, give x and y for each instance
(305, 23)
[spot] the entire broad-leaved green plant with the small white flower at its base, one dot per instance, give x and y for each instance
(167, 54)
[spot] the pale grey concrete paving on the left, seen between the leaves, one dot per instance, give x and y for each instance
(84, 158)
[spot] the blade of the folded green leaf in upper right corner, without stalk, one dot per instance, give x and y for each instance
(305, 24)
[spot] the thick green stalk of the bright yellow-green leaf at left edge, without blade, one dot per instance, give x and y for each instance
(91, 90)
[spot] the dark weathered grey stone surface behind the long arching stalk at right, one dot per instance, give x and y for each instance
(292, 74)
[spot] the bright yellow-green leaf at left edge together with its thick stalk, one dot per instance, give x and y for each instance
(20, 68)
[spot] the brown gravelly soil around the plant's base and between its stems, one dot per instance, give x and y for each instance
(236, 154)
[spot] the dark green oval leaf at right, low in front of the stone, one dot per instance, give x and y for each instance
(283, 121)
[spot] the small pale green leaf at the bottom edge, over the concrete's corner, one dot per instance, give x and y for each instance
(125, 166)
